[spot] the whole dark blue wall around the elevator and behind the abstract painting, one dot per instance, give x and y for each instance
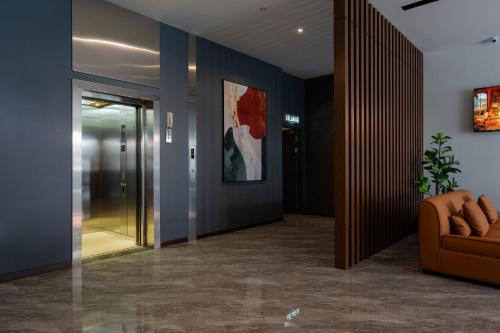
(36, 136)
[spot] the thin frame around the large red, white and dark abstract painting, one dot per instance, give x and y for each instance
(263, 177)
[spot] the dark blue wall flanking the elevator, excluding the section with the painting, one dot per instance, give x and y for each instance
(36, 134)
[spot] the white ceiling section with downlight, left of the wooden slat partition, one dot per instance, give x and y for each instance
(269, 35)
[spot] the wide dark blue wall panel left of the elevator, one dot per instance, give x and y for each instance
(35, 134)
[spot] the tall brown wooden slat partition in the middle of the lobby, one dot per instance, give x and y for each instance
(378, 124)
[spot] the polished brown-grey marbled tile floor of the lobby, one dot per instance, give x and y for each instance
(275, 278)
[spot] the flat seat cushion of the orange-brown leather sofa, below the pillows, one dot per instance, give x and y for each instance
(481, 246)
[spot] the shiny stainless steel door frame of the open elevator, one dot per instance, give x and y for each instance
(81, 88)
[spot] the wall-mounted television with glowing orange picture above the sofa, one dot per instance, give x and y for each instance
(487, 109)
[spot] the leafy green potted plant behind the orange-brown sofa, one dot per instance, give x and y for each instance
(440, 163)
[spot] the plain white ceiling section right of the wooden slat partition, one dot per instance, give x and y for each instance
(444, 24)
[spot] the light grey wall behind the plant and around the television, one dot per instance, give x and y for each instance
(450, 77)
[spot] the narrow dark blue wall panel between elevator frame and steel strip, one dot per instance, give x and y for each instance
(174, 156)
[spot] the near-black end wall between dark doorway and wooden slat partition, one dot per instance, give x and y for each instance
(319, 146)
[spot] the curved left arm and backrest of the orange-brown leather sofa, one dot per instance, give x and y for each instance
(434, 223)
